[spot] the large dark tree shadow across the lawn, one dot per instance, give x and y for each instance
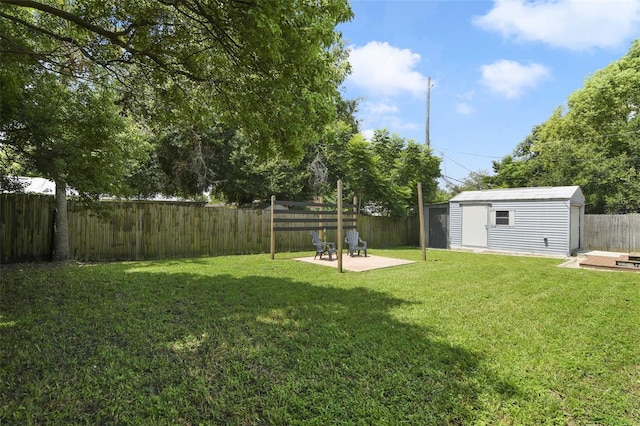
(187, 348)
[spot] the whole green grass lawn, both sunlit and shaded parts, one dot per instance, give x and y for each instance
(460, 339)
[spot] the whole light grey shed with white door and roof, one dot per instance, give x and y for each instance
(542, 220)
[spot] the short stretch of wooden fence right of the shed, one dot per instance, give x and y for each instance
(612, 232)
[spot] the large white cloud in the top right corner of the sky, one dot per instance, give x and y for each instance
(573, 24)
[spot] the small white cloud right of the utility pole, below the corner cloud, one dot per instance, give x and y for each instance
(510, 78)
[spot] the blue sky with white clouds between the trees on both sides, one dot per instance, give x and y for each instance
(497, 68)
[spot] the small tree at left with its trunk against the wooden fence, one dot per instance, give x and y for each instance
(71, 133)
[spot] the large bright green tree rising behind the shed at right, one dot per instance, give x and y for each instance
(594, 143)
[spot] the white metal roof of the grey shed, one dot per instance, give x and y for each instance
(520, 194)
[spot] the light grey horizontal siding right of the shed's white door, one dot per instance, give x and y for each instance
(534, 221)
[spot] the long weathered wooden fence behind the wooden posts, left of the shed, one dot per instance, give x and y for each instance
(135, 230)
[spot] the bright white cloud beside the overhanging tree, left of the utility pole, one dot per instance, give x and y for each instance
(382, 69)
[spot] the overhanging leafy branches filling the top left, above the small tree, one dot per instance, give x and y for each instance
(270, 68)
